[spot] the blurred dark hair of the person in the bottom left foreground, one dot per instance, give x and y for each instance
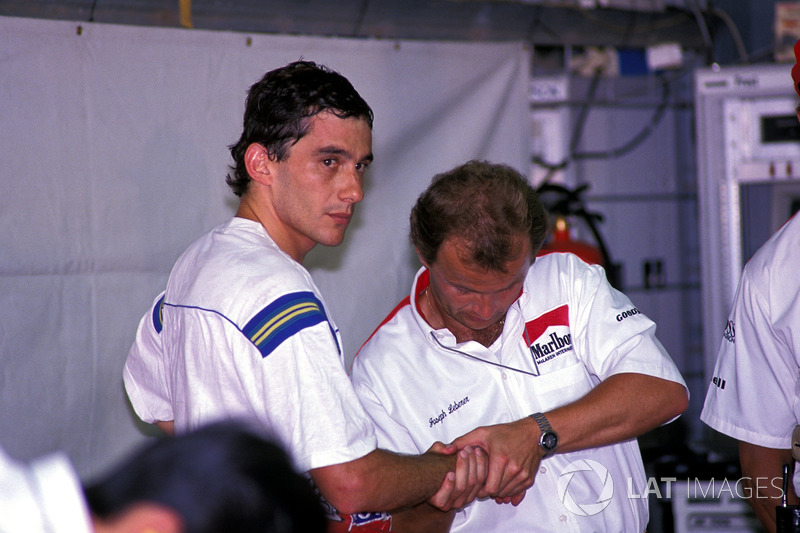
(223, 477)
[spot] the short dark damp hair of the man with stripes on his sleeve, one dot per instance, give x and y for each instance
(279, 105)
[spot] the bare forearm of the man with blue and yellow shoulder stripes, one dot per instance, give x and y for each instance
(382, 481)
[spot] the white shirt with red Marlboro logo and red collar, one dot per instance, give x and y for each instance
(420, 386)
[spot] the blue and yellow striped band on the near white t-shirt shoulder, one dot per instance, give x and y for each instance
(283, 318)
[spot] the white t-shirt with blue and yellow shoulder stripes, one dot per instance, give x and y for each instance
(246, 335)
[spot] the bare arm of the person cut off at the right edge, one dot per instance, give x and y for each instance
(760, 468)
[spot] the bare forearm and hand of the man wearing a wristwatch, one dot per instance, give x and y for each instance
(621, 407)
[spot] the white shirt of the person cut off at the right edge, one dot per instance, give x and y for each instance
(754, 395)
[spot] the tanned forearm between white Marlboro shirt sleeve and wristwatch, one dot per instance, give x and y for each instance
(622, 407)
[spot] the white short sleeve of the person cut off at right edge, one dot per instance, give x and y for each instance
(761, 413)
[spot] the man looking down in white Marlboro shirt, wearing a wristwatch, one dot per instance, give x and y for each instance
(560, 371)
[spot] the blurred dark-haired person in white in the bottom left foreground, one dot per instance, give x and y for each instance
(220, 478)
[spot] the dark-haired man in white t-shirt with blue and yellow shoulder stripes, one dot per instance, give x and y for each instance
(243, 331)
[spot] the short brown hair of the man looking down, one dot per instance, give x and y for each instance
(485, 205)
